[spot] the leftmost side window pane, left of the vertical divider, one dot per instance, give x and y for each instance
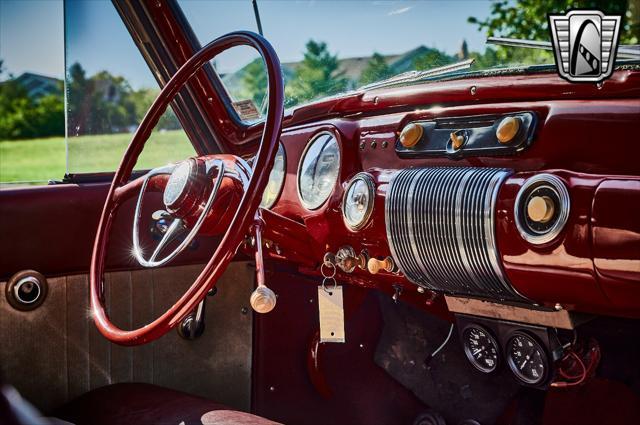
(32, 148)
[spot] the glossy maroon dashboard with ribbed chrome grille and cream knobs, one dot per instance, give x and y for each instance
(455, 221)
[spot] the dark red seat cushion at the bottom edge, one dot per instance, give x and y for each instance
(124, 404)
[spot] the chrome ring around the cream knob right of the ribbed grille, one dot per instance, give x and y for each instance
(556, 185)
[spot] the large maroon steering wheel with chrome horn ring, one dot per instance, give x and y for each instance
(179, 193)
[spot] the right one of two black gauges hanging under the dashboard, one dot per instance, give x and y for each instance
(526, 358)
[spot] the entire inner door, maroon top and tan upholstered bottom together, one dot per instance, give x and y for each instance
(55, 353)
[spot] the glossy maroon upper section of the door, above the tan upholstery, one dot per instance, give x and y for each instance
(51, 229)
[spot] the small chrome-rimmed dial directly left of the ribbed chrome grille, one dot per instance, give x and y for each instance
(357, 203)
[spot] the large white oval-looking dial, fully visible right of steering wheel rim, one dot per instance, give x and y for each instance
(318, 170)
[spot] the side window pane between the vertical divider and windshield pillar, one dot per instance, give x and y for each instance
(109, 88)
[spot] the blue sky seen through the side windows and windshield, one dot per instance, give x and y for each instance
(32, 36)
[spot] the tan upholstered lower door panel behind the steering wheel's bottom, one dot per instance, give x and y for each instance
(55, 353)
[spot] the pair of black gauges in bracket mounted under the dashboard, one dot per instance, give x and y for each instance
(527, 352)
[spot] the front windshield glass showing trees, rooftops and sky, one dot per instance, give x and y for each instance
(329, 47)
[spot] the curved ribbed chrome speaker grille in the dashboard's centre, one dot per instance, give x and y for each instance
(440, 228)
